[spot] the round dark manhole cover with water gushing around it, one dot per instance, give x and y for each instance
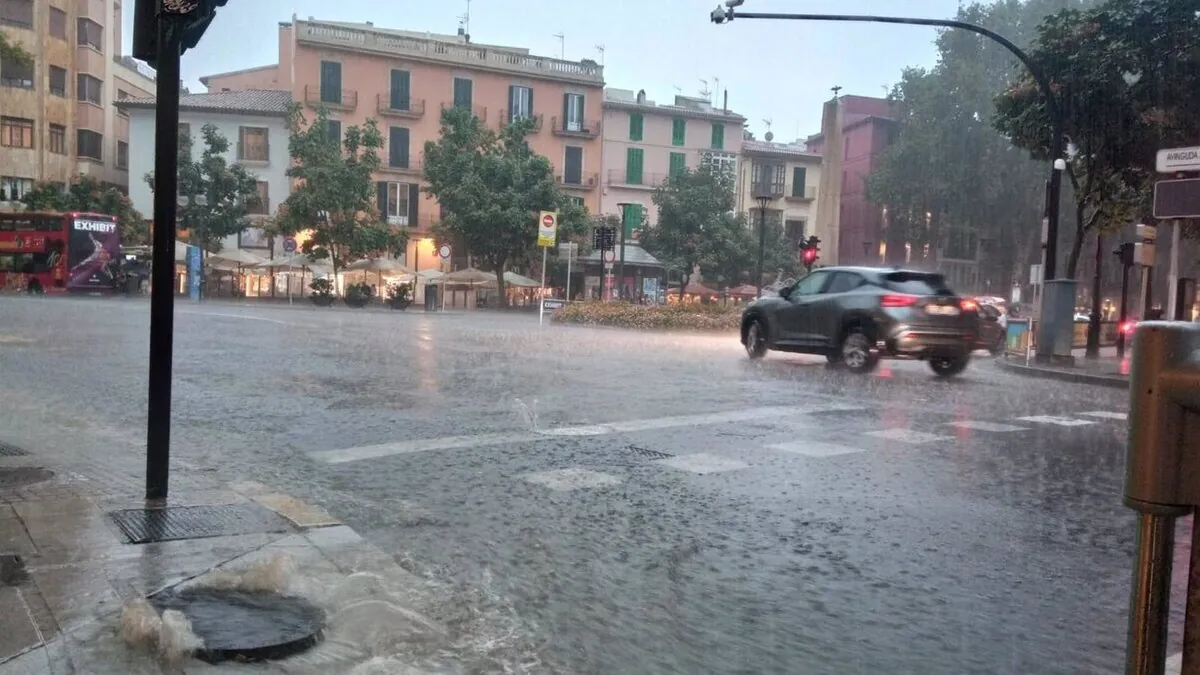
(242, 626)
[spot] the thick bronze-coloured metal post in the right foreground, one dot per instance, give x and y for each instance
(1163, 483)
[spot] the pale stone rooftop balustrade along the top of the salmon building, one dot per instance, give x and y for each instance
(395, 45)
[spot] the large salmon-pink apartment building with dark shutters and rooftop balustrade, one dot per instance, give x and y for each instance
(404, 80)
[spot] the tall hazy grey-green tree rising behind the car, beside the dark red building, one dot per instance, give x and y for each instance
(951, 182)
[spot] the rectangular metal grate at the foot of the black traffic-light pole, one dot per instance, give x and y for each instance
(170, 524)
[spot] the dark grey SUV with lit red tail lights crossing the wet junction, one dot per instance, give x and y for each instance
(857, 315)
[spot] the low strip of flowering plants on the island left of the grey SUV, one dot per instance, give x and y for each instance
(661, 318)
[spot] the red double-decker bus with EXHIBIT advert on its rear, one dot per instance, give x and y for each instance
(46, 253)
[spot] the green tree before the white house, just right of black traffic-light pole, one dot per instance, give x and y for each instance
(229, 190)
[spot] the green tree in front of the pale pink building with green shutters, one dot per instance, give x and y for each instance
(698, 225)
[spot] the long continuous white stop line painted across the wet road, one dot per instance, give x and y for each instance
(628, 427)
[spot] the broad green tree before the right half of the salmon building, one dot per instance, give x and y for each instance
(491, 188)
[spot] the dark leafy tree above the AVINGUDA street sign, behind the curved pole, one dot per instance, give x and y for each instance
(1126, 79)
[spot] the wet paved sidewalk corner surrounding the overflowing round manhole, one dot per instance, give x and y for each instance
(67, 575)
